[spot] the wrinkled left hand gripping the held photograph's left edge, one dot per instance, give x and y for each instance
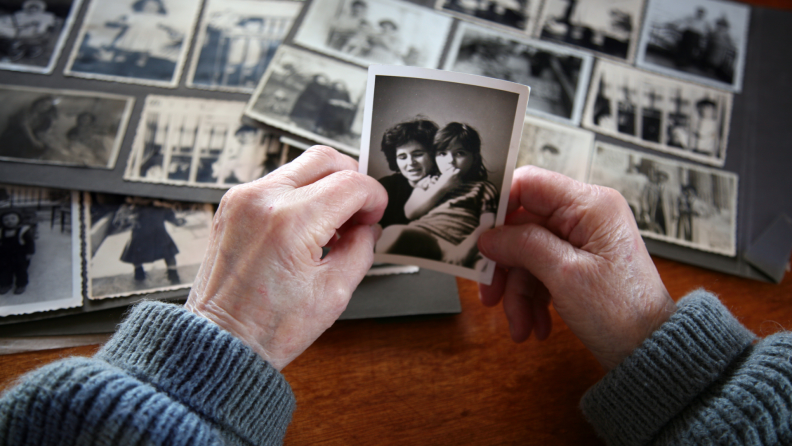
(263, 277)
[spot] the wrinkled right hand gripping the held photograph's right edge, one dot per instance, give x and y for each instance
(577, 246)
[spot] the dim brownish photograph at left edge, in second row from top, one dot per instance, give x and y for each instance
(62, 126)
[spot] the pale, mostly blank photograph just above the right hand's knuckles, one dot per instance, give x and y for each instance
(556, 147)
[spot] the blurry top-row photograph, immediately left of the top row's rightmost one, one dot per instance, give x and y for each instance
(608, 27)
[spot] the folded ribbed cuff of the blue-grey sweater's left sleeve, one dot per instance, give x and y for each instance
(205, 368)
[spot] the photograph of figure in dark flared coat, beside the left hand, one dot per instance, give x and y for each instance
(137, 245)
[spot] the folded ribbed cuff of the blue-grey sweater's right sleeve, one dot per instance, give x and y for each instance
(660, 378)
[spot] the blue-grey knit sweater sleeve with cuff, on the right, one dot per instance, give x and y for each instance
(699, 379)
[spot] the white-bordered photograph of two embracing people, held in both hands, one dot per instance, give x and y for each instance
(444, 146)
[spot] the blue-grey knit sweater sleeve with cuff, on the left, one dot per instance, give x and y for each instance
(166, 377)
